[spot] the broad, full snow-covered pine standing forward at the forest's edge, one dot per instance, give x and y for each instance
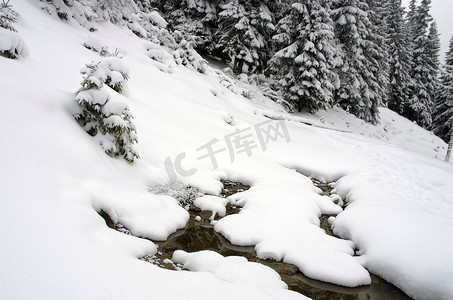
(304, 65)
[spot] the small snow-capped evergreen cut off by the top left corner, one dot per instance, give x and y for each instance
(11, 44)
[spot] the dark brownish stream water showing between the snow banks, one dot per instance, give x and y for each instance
(200, 235)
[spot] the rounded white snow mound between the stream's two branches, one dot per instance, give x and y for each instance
(280, 216)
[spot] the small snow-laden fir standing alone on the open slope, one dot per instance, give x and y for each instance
(103, 117)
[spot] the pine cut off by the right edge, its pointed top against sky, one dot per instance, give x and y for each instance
(443, 111)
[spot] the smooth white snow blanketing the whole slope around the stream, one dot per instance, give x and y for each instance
(399, 217)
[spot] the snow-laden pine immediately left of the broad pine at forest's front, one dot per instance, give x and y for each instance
(243, 33)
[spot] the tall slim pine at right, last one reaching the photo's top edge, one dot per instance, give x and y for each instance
(420, 103)
